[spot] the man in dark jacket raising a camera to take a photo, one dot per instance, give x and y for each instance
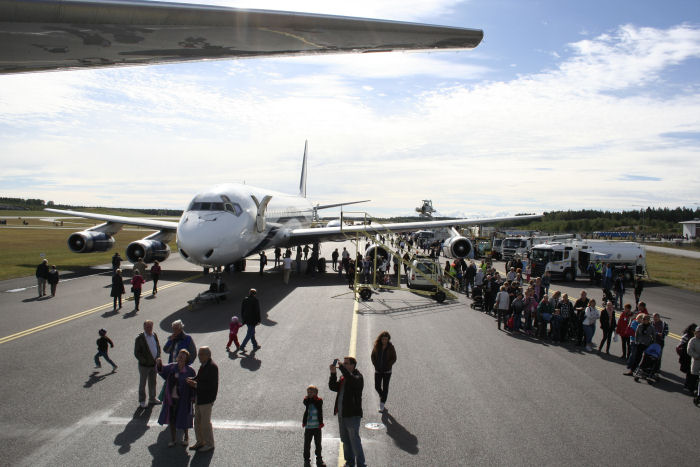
(348, 407)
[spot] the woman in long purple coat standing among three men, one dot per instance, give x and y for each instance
(179, 396)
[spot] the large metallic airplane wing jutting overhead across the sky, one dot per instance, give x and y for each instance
(41, 35)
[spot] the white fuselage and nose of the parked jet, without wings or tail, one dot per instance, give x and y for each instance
(220, 226)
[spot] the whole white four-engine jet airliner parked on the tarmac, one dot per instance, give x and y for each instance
(227, 223)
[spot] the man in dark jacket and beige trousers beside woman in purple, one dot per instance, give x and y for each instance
(206, 385)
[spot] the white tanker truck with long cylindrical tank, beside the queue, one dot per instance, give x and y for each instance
(567, 260)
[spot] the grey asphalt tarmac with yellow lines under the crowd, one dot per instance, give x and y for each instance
(462, 392)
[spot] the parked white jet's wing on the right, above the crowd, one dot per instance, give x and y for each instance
(341, 232)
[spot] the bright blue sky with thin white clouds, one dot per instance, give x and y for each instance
(563, 105)
